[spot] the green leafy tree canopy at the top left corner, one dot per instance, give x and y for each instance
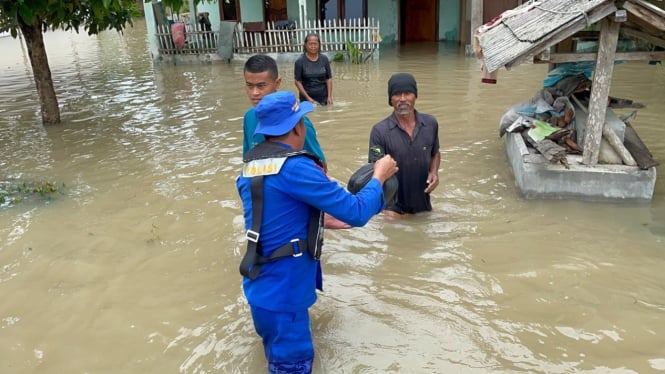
(91, 15)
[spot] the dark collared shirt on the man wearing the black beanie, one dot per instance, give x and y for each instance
(413, 158)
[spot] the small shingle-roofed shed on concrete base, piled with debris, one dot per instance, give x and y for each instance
(555, 32)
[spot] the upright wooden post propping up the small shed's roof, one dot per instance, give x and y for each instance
(600, 89)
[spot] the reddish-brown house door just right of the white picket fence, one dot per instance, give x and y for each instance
(419, 20)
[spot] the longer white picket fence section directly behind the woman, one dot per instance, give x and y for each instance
(274, 37)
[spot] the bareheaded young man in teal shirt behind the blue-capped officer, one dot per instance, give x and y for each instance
(262, 78)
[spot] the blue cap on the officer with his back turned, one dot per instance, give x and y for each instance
(279, 112)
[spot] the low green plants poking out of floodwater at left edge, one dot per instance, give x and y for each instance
(14, 191)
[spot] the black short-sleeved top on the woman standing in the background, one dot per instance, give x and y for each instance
(313, 76)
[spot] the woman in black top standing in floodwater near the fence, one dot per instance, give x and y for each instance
(312, 73)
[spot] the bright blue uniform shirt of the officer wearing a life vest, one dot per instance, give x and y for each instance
(289, 284)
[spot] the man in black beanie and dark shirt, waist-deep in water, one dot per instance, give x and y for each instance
(412, 139)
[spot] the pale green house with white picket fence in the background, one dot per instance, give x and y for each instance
(281, 24)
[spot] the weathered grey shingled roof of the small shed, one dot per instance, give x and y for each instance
(519, 34)
